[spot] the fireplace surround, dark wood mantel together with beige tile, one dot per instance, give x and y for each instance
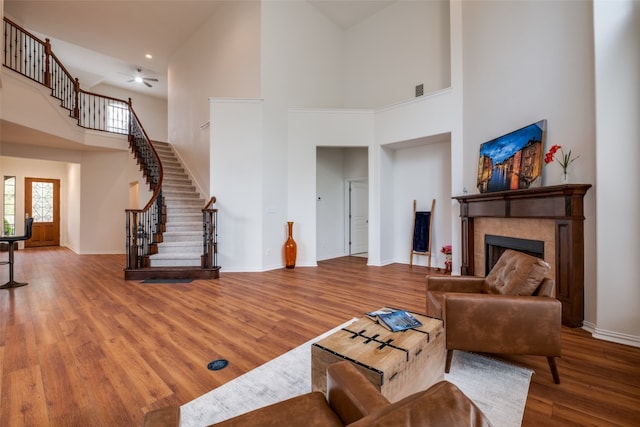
(551, 214)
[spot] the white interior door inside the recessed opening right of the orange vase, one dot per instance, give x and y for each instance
(358, 217)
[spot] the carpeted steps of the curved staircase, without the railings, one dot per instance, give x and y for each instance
(182, 240)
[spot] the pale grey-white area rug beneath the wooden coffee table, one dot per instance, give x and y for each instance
(499, 389)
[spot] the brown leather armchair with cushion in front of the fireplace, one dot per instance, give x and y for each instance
(511, 311)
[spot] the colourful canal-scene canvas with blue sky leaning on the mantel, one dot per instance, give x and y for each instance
(512, 161)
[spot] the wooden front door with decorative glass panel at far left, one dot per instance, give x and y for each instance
(42, 202)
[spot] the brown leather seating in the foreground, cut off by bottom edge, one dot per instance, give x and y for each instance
(351, 400)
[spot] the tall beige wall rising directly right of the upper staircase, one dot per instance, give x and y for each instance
(220, 59)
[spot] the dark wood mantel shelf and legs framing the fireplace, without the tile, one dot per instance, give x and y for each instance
(562, 203)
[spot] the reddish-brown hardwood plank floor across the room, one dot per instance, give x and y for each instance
(80, 346)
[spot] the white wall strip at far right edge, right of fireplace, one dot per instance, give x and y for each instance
(617, 72)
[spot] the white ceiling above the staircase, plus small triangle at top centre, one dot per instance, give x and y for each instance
(106, 41)
